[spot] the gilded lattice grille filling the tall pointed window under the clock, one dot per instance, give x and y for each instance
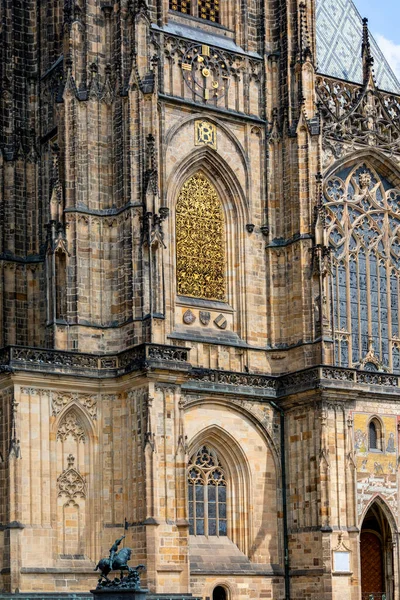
(200, 240)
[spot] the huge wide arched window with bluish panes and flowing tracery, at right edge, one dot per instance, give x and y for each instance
(363, 219)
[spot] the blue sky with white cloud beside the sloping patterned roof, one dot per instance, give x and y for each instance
(384, 24)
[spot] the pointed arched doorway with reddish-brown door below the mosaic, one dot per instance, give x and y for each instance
(376, 551)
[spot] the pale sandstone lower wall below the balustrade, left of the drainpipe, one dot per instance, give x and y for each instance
(86, 462)
